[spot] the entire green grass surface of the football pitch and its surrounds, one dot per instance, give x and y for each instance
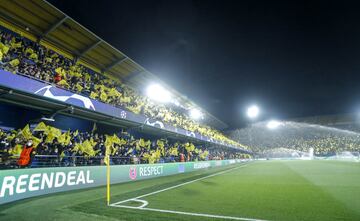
(271, 190)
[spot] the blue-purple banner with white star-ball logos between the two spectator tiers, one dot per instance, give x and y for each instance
(32, 86)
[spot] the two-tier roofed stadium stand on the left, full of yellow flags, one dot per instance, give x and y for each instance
(94, 71)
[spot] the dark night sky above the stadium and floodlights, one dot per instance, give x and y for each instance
(292, 58)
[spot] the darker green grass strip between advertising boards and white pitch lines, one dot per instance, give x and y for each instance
(74, 205)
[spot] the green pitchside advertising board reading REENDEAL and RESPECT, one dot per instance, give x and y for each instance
(24, 183)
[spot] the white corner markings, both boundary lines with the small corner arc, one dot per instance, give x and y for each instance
(145, 203)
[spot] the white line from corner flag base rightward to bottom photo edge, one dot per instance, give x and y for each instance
(191, 214)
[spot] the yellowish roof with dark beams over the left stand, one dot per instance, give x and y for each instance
(40, 21)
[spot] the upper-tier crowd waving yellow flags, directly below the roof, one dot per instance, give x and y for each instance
(22, 56)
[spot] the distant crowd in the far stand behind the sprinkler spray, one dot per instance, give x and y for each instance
(325, 141)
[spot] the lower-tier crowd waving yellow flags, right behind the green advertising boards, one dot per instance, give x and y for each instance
(73, 148)
